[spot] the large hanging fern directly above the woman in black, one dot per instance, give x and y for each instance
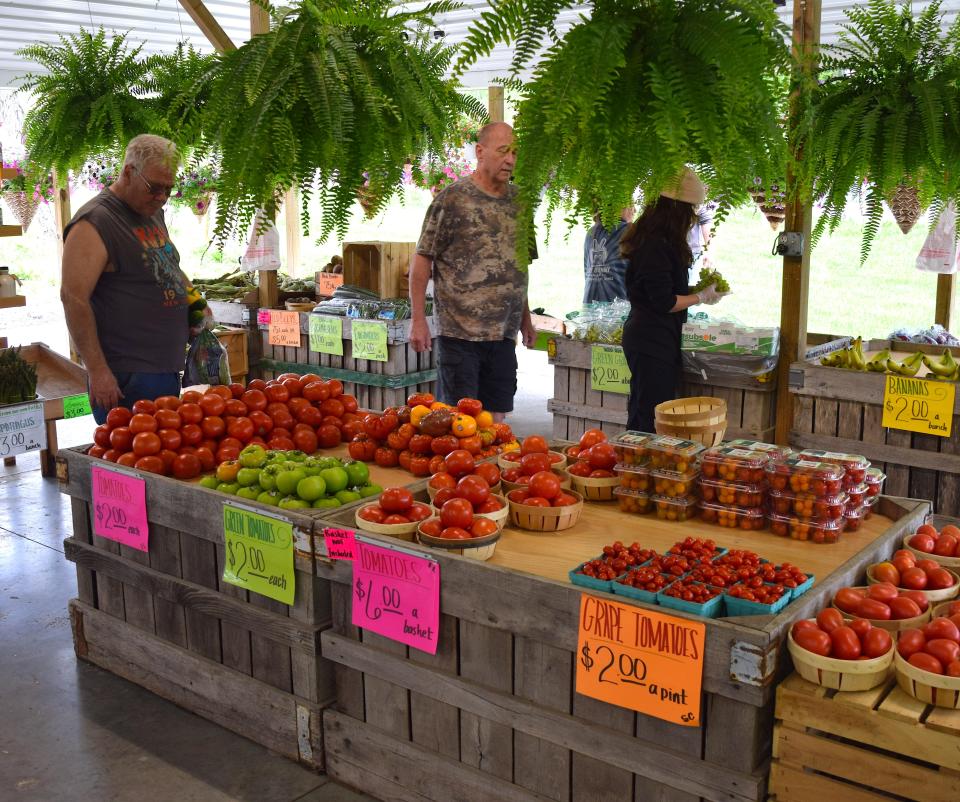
(631, 94)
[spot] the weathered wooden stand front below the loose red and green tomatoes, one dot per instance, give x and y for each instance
(165, 620)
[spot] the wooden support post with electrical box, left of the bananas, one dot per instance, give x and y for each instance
(796, 272)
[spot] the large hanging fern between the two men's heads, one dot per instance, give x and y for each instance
(337, 94)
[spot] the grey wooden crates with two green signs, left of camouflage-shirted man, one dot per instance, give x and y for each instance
(376, 385)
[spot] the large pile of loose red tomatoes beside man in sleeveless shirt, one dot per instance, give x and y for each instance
(197, 431)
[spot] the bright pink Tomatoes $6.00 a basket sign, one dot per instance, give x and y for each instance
(397, 594)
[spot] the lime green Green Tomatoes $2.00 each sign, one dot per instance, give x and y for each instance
(259, 553)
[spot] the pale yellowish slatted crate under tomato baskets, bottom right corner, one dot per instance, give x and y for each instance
(866, 746)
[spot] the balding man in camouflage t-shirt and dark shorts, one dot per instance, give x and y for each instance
(468, 243)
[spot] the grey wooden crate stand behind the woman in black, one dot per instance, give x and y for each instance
(751, 408)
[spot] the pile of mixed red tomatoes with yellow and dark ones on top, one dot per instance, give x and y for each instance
(417, 436)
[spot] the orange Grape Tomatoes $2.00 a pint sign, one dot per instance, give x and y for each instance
(640, 659)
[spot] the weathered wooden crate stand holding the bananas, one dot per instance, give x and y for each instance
(840, 410)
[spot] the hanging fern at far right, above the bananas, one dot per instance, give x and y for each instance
(885, 112)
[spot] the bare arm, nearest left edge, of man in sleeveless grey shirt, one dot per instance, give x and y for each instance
(84, 260)
